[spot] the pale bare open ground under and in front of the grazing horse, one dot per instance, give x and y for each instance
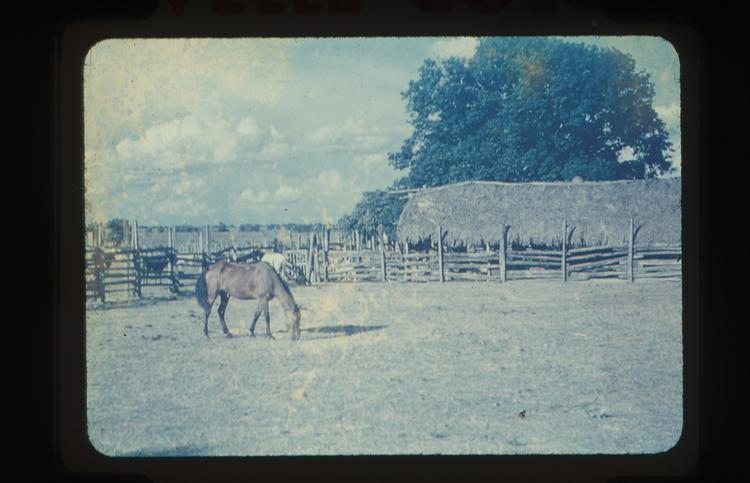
(454, 368)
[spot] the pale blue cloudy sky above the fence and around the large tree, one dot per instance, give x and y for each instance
(267, 130)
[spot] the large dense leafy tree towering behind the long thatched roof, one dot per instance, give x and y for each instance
(532, 109)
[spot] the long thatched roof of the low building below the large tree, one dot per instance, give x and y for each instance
(598, 212)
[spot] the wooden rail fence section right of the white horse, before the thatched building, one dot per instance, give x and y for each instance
(502, 264)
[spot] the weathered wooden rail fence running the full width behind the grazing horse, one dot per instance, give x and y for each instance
(132, 268)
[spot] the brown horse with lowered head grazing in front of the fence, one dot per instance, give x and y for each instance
(246, 281)
